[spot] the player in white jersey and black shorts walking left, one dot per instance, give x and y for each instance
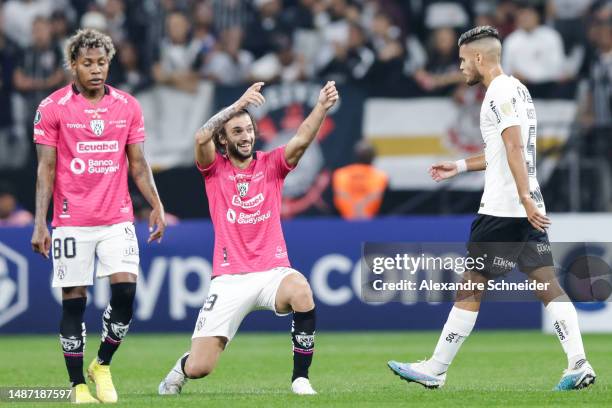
(511, 211)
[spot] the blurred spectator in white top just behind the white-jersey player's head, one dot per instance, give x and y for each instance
(534, 52)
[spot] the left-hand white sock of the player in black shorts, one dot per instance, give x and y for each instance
(458, 326)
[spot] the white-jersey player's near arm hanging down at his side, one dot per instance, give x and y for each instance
(516, 160)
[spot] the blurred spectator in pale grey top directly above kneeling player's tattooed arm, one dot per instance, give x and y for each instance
(229, 64)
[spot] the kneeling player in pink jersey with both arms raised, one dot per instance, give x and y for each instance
(251, 268)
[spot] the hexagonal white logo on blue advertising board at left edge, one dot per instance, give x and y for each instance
(13, 284)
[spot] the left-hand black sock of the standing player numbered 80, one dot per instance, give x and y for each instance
(72, 338)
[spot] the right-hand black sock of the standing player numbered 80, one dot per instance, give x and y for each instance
(116, 320)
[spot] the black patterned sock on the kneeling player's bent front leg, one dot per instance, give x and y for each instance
(302, 335)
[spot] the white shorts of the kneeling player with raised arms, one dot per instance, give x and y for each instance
(232, 297)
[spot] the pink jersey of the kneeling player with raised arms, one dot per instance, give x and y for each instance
(245, 206)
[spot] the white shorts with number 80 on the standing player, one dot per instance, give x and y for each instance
(74, 250)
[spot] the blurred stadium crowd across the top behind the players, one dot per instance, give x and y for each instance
(390, 48)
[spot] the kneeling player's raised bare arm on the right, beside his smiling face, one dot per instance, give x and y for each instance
(311, 125)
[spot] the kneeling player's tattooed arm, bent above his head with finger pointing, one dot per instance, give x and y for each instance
(204, 146)
